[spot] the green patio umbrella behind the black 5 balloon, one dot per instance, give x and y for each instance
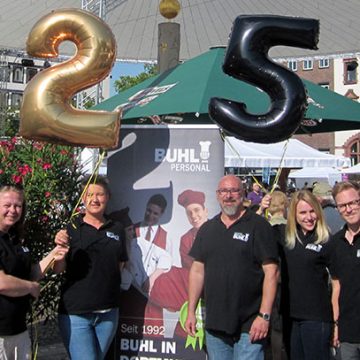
(182, 94)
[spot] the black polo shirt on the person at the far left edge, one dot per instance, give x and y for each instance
(14, 260)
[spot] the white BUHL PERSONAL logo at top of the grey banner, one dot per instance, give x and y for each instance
(185, 159)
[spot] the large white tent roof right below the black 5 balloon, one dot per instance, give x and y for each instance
(295, 154)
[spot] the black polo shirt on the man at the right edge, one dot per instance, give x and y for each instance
(346, 268)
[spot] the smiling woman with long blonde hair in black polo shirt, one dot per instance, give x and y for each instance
(305, 280)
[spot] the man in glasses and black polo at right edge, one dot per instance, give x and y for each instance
(345, 271)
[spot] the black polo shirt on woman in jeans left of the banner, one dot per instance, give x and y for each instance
(92, 277)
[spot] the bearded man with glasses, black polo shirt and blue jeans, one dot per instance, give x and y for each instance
(235, 262)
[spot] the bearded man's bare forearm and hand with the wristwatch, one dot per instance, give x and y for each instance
(260, 327)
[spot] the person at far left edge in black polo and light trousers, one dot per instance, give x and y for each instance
(18, 276)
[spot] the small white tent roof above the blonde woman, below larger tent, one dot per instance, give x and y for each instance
(311, 174)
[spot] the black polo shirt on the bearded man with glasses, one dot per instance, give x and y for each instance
(234, 276)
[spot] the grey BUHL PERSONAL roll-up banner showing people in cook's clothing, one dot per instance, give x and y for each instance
(163, 182)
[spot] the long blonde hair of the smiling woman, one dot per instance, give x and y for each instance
(321, 228)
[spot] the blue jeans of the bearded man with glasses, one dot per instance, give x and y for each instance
(222, 347)
